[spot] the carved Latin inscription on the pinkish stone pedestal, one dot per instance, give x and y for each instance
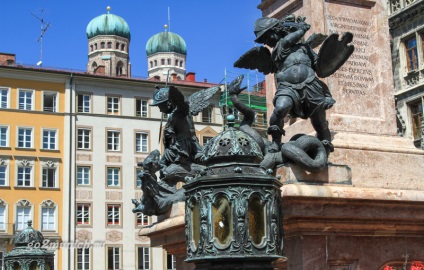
(356, 76)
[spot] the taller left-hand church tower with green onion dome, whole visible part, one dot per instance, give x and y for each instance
(108, 46)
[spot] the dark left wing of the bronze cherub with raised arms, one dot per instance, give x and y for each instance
(257, 58)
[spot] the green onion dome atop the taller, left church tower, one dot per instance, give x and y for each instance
(108, 24)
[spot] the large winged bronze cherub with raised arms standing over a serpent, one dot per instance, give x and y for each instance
(294, 63)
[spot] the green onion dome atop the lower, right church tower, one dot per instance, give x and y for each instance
(166, 42)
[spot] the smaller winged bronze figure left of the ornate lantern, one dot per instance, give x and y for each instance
(183, 154)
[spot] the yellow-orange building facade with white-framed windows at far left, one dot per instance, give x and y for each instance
(32, 155)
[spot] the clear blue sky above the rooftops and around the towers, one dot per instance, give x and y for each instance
(216, 32)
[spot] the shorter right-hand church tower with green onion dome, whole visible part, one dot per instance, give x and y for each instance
(166, 51)
